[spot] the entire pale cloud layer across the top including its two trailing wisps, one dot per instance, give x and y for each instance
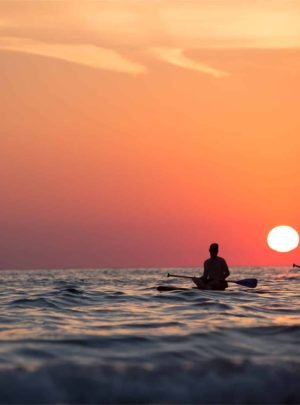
(99, 34)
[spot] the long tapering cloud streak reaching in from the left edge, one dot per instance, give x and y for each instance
(83, 54)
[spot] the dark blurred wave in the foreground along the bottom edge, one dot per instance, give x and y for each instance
(212, 382)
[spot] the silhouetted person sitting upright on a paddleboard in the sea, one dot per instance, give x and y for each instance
(215, 271)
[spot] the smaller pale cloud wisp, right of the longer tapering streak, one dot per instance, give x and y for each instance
(175, 56)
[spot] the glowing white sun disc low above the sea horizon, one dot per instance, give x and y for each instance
(283, 238)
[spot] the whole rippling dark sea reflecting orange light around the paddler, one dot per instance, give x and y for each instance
(108, 336)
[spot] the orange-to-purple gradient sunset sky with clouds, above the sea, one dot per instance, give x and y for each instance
(136, 132)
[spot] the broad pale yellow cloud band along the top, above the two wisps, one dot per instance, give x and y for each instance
(146, 23)
